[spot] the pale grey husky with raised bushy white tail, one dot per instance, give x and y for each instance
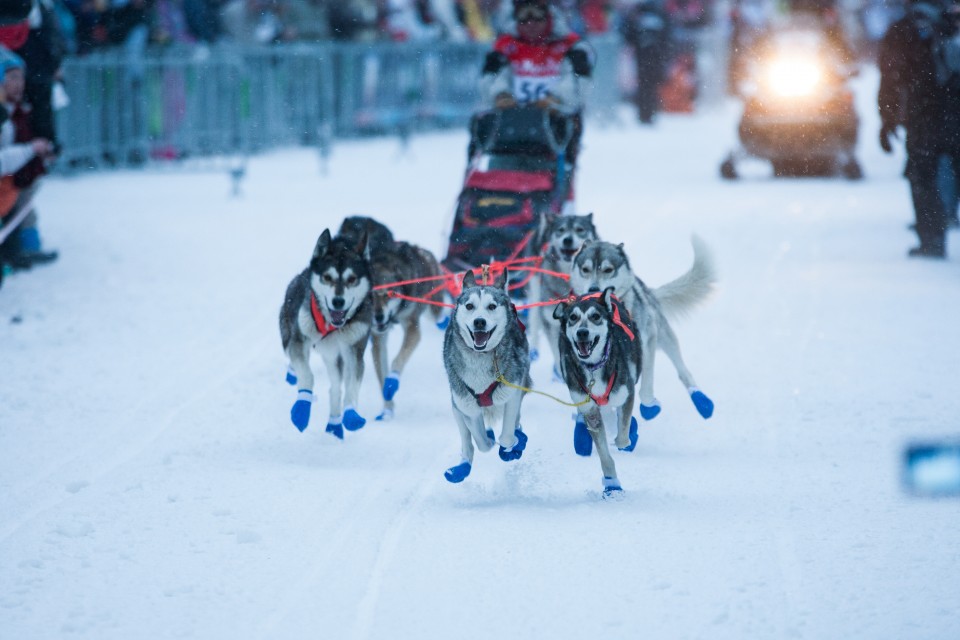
(601, 265)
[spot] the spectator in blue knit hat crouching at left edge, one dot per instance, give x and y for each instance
(22, 159)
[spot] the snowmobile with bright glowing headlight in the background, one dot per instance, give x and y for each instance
(798, 112)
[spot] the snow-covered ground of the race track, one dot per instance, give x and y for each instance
(152, 486)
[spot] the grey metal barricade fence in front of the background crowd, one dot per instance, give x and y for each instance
(228, 101)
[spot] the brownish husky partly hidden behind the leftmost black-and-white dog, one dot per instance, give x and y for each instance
(402, 263)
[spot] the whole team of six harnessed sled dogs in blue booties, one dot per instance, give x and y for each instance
(604, 331)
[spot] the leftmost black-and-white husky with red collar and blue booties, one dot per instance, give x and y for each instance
(327, 308)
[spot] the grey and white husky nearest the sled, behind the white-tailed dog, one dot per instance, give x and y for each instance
(562, 237)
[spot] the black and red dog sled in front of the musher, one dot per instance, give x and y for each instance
(517, 173)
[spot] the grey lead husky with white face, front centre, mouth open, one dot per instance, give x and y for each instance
(484, 345)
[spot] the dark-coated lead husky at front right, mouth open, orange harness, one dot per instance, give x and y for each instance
(600, 360)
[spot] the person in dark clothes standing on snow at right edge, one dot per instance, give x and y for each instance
(920, 90)
